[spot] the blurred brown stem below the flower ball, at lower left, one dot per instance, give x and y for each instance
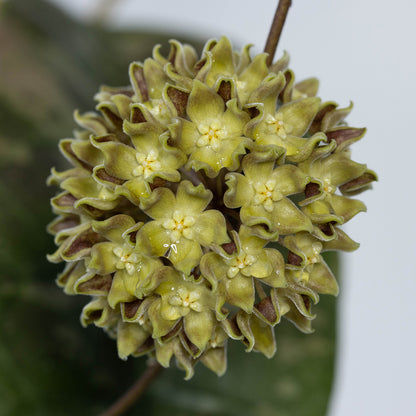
(134, 392)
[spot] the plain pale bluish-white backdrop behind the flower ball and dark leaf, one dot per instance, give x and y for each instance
(362, 50)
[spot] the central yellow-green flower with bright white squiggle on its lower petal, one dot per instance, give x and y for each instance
(181, 225)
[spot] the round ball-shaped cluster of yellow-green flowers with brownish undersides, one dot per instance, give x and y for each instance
(199, 201)
